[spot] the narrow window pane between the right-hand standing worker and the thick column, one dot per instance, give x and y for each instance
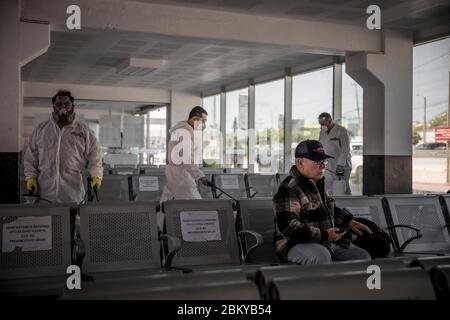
(352, 120)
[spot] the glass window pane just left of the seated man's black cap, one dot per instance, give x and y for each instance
(269, 126)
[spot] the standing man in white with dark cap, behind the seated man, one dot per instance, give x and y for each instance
(335, 141)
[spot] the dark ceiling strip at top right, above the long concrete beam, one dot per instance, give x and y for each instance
(410, 14)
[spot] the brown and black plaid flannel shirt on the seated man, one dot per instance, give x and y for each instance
(303, 213)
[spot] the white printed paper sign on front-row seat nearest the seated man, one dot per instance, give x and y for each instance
(199, 226)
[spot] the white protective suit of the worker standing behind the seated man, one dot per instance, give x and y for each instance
(336, 144)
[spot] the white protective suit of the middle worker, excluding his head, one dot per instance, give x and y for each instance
(181, 177)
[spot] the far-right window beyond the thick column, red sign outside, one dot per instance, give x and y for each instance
(430, 111)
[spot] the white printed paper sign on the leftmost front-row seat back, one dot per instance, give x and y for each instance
(28, 233)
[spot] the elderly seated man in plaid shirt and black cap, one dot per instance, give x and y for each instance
(309, 229)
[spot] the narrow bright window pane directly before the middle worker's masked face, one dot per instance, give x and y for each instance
(211, 135)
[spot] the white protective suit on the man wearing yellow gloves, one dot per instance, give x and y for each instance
(57, 157)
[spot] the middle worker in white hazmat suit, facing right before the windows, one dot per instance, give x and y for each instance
(183, 158)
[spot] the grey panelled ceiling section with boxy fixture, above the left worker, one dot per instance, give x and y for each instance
(91, 57)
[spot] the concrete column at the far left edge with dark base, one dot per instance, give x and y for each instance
(20, 42)
